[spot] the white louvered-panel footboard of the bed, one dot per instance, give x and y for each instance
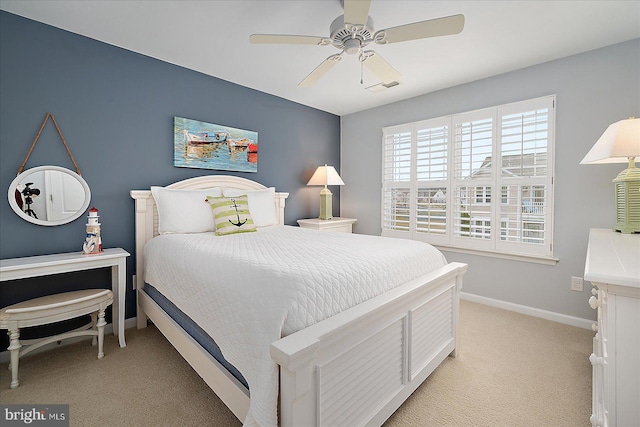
(357, 367)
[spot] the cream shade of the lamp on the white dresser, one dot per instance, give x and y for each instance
(620, 141)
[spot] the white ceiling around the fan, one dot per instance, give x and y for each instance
(212, 37)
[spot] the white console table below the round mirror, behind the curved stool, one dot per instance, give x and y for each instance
(44, 265)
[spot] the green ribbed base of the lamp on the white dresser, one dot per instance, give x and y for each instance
(627, 185)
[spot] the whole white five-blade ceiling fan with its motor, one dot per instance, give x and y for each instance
(354, 30)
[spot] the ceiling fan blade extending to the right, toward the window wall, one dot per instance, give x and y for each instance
(421, 30)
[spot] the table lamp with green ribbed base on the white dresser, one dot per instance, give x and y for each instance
(620, 143)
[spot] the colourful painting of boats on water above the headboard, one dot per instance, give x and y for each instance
(205, 145)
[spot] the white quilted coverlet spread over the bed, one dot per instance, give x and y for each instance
(248, 290)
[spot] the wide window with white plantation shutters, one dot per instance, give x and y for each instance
(481, 180)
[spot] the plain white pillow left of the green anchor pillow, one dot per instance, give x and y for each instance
(184, 211)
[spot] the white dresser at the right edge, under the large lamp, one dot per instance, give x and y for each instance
(613, 268)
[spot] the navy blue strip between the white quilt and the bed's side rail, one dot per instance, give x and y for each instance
(196, 332)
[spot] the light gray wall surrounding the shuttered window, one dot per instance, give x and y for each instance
(593, 89)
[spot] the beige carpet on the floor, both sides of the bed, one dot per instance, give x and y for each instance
(510, 370)
